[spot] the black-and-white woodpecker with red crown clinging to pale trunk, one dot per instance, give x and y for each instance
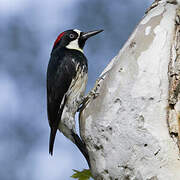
(67, 75)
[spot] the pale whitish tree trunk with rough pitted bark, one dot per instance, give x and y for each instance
(131, 128)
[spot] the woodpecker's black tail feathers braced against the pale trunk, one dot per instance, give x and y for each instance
(82, 147)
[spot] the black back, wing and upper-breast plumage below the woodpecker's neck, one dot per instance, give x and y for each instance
(61, 71)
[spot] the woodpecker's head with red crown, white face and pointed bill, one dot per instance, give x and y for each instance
(73, 39)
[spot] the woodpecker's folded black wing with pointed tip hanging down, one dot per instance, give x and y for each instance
(59, 77)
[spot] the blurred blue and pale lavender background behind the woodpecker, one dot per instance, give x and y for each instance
(27, 33)
